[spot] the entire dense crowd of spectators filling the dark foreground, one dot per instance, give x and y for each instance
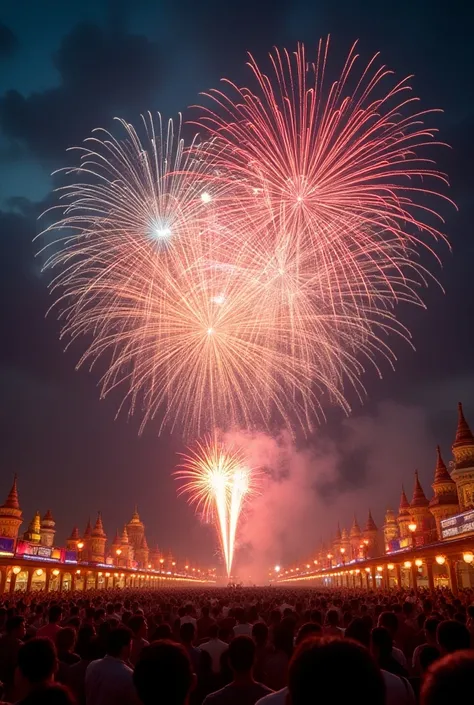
(239, 646)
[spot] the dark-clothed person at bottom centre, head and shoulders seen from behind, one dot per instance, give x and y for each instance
(243, 690)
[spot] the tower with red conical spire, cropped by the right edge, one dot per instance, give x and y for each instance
(463, 473)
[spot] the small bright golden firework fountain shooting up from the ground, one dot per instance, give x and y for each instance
(217, 480)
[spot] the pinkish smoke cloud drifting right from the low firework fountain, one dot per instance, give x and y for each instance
(306, 490)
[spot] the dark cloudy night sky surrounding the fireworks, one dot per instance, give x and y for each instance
(67, 67)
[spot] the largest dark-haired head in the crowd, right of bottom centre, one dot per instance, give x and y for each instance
(317, 665)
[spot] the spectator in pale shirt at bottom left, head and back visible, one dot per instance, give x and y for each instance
(109, 681)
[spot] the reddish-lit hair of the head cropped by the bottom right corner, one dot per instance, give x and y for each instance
(449, 680)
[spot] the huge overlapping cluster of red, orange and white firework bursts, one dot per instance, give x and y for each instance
(250, 279)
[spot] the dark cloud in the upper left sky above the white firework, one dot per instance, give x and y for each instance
(102, 73)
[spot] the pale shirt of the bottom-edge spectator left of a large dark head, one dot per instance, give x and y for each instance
(109, 681)
